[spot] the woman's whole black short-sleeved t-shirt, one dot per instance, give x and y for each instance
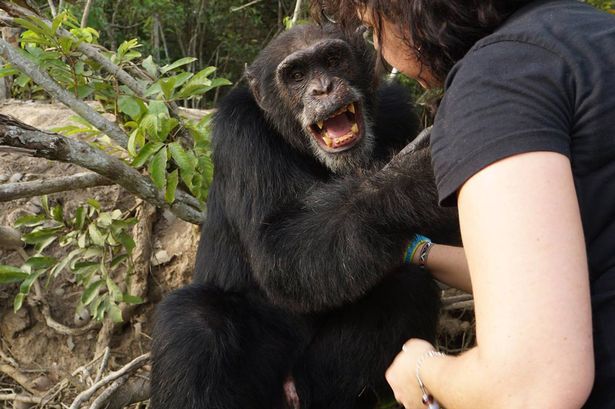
(544, 81)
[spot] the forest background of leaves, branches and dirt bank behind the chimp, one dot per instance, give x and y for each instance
(103, 187)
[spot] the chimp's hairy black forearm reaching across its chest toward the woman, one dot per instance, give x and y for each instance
(336, 242)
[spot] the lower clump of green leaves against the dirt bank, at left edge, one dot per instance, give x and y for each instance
(99, 255)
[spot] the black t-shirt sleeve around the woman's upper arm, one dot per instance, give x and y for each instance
(505, 98)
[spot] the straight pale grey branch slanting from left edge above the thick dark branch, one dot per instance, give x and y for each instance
(48, 84)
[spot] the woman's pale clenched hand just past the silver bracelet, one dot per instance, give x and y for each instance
(401, 375)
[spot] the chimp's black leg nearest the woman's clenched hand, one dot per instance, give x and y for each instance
(344, 366)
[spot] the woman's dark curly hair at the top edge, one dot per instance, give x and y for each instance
(439, 31)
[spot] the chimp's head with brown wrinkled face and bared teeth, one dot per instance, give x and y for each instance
(318, 95)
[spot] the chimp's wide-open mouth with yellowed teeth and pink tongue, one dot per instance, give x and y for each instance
(341, 130)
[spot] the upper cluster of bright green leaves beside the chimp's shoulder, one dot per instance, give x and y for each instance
(157, 140)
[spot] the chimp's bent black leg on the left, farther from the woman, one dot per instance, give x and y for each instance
(220, 350)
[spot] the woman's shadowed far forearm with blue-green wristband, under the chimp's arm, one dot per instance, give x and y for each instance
(448, 265)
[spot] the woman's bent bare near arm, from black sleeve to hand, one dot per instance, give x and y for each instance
(525, 249)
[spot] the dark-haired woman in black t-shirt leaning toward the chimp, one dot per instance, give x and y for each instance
(524, 145)
